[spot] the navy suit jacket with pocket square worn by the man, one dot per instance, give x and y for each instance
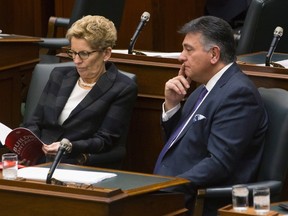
(224, 146)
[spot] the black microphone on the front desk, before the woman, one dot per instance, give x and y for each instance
(65, 146)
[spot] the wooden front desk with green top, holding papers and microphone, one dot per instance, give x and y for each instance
(126, 194)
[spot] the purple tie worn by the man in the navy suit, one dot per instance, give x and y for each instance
(179, 128)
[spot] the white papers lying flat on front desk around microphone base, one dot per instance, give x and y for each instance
(64, 175)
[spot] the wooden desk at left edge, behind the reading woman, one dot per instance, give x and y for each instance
(19, 55)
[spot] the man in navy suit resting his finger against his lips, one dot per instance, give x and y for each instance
(221, 142)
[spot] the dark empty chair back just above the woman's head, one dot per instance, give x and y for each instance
(110, 9)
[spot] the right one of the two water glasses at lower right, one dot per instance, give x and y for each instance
(261, 200)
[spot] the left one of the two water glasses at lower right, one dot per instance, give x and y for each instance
(240, 194)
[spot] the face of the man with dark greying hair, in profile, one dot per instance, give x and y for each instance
(196, 60)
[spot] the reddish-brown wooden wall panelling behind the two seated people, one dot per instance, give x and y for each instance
(30, 17)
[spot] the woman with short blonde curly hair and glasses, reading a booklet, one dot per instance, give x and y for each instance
(89, 104)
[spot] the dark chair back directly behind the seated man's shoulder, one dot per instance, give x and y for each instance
(274, 162)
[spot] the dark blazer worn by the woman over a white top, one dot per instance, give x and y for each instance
(98, 124)
